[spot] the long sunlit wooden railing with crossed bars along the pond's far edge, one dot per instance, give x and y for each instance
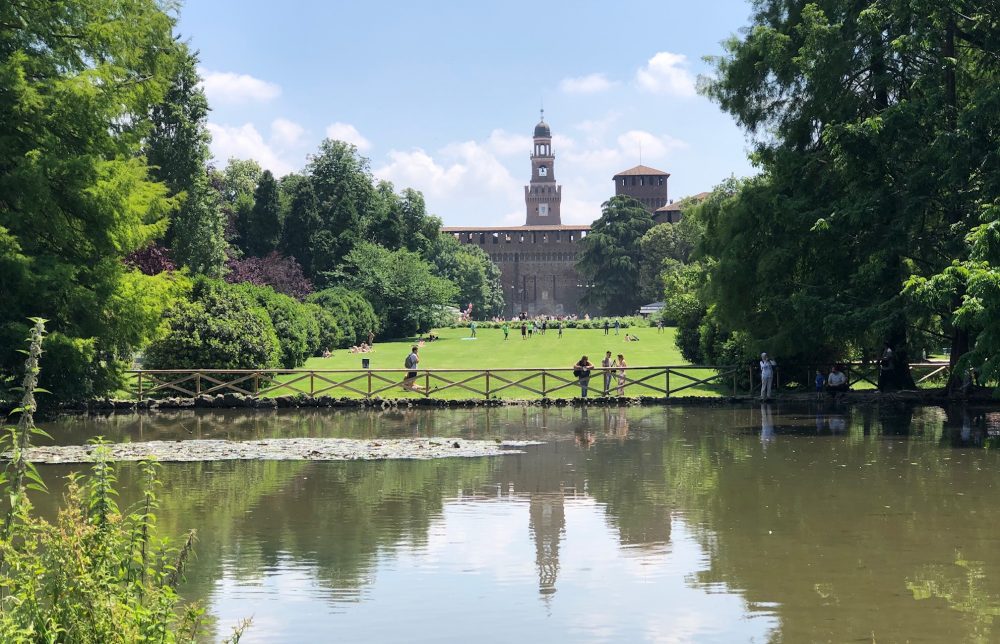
(484, 383)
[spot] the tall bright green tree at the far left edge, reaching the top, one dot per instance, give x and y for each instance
(79, 82)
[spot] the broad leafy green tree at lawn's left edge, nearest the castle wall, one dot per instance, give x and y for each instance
(400, 287)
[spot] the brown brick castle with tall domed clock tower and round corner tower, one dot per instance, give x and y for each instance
(538, 260)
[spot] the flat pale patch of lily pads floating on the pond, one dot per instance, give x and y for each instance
(281, 449)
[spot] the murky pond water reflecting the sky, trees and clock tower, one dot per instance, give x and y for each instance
(762, 523)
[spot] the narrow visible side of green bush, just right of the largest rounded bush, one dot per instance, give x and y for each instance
(296, 327)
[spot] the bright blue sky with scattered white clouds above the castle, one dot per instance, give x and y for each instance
(443, 96)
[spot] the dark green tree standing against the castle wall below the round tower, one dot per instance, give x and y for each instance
(609, 260)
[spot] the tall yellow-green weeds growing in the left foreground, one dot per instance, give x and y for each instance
(97, 573)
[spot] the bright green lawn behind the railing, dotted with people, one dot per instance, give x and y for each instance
(456, 350)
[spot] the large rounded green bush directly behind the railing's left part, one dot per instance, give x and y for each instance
(221, 327)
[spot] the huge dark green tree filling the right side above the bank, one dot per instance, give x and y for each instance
(872, 157)
